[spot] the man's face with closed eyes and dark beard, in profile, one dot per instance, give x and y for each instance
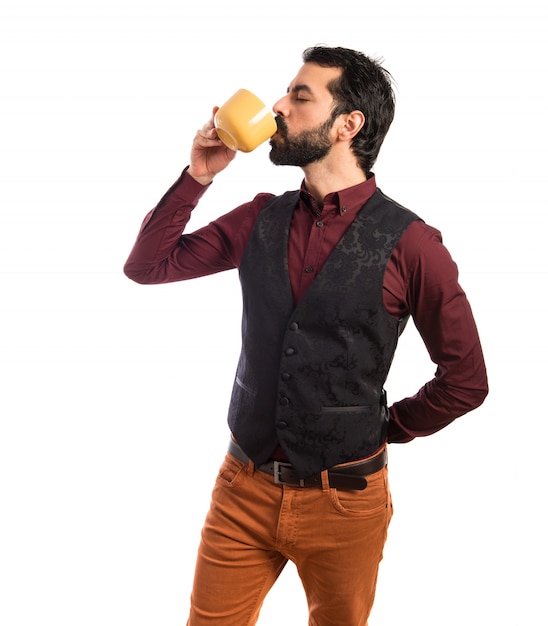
(304, 118)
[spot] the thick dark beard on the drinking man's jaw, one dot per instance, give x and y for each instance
(307, 147)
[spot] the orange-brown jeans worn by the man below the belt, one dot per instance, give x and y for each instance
(254, 526)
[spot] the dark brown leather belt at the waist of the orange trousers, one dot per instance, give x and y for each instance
(347, 477)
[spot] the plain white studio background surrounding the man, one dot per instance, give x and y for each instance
(113, 396)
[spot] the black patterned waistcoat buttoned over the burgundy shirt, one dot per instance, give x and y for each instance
(310, 377)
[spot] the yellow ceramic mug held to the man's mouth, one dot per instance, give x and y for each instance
(244, 122)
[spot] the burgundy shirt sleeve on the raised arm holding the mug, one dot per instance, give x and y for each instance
(164, 252)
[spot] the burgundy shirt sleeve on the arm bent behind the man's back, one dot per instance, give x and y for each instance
(432, 295)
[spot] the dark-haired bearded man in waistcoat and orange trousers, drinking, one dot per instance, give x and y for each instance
(330, 275)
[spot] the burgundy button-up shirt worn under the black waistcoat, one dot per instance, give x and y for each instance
(421, 280)
